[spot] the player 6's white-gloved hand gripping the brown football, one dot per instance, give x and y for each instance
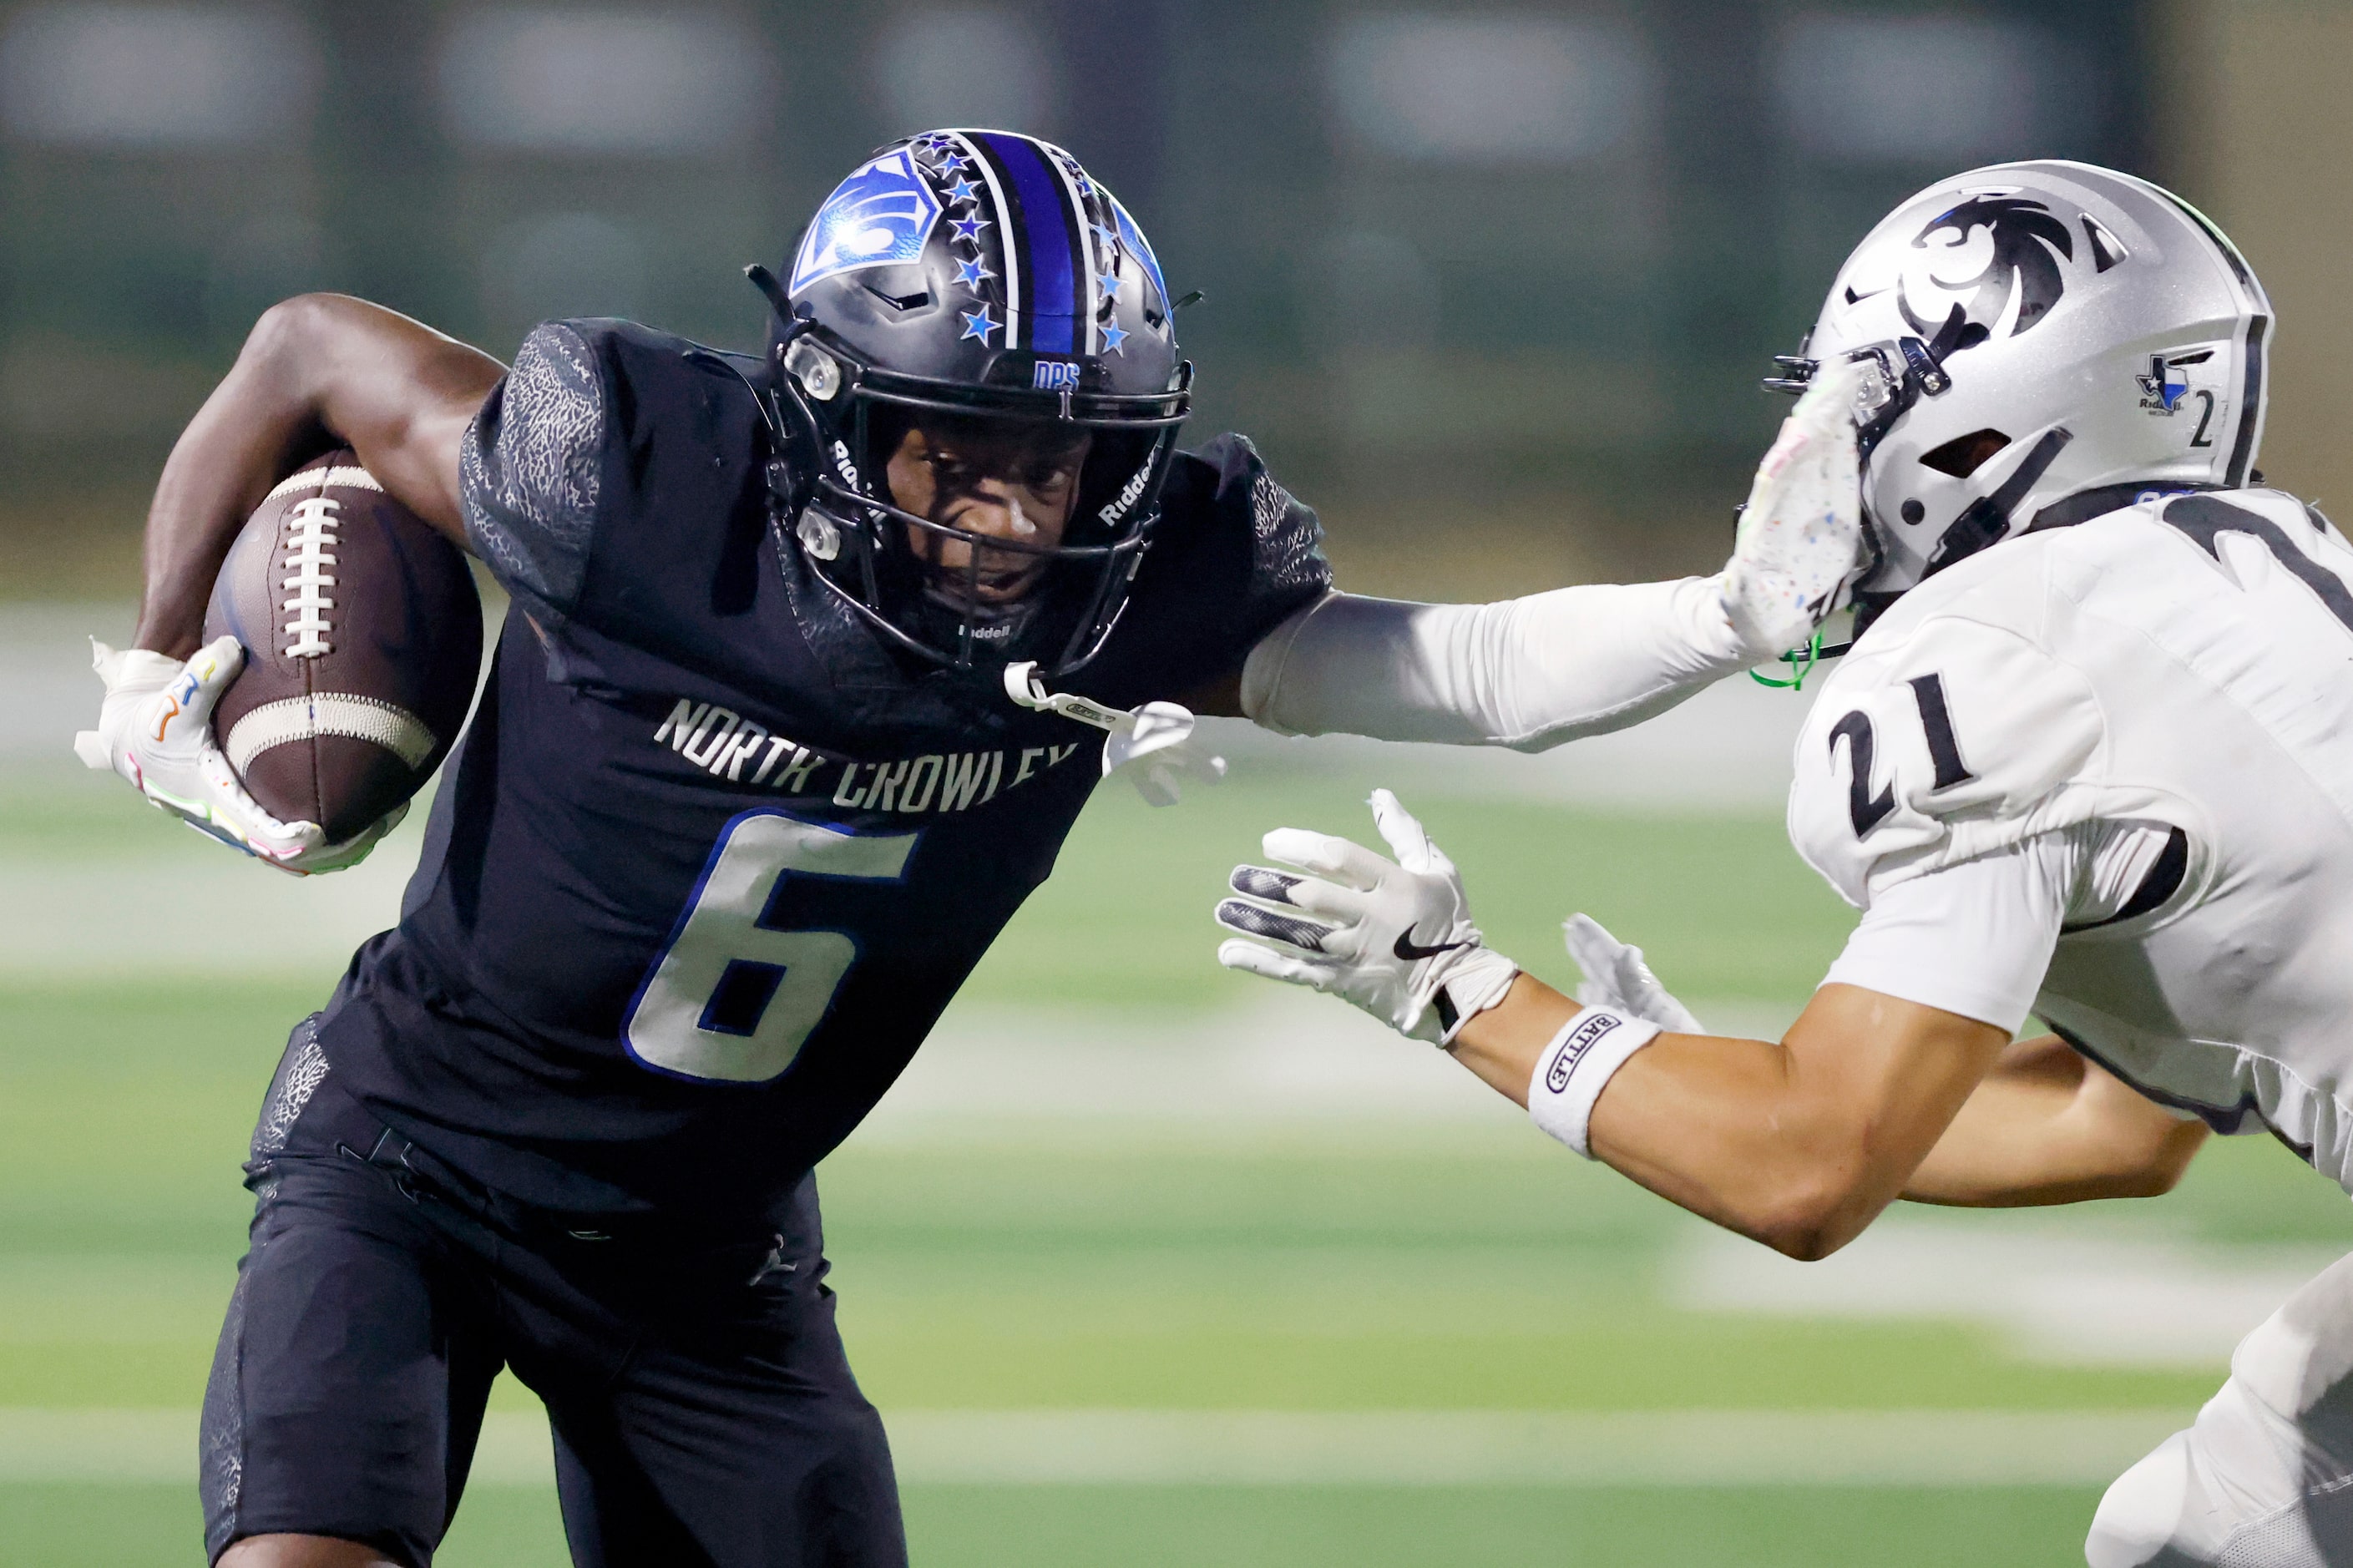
(156, 731)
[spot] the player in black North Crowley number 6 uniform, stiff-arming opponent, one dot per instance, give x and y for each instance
(747, 797)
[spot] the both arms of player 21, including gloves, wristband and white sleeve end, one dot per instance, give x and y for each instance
(1898, 1082)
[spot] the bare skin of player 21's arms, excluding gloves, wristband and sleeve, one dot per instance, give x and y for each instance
(1869, 1098)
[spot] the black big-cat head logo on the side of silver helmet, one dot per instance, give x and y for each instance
(2018, 284)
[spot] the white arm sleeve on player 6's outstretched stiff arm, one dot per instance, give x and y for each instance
(1526, 672)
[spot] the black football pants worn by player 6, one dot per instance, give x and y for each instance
(700, 1395)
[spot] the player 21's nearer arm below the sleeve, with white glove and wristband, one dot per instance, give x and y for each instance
(1797, 1143)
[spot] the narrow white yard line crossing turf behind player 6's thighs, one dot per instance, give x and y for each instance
(1302, 1449)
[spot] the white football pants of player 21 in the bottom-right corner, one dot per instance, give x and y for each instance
(2265, 1477)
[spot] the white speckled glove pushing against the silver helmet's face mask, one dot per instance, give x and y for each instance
(1801, 538)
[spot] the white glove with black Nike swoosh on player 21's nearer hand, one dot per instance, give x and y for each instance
(1394, 938)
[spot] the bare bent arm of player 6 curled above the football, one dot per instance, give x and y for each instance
(316, 371)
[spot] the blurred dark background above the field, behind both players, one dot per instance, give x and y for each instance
(1498, 274)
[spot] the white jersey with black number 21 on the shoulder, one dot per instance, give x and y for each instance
(2152, 717)
